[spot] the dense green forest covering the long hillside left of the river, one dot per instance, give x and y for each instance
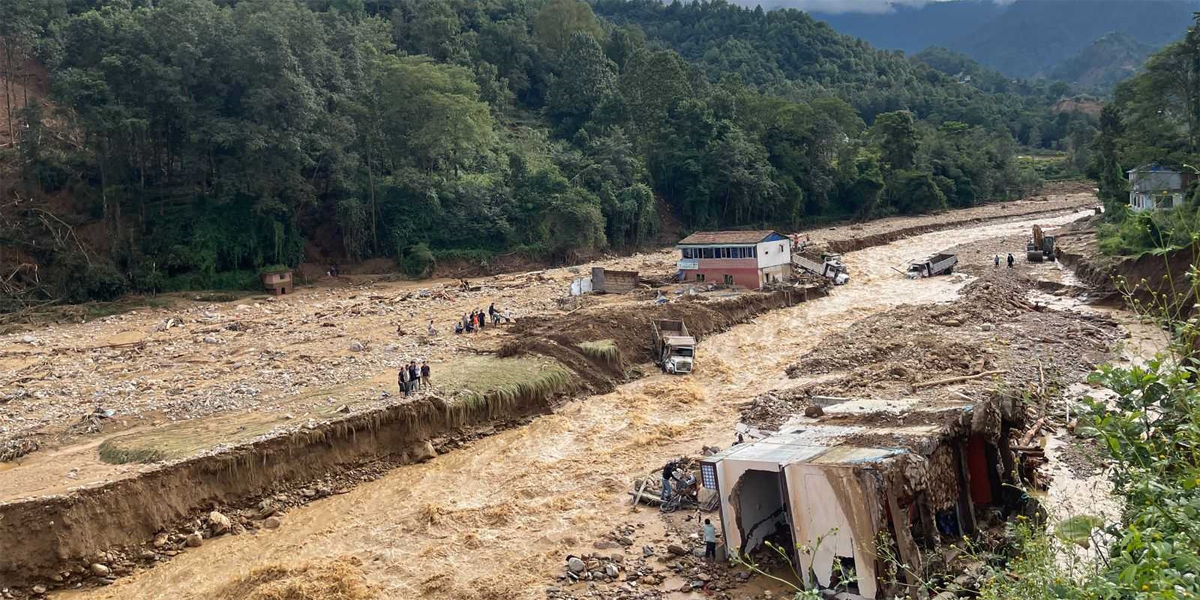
(185, 145)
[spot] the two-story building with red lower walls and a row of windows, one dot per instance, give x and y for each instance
(748, 260)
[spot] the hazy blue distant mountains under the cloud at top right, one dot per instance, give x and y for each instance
(1031, 39)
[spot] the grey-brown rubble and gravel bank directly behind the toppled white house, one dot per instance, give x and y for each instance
(993, 331)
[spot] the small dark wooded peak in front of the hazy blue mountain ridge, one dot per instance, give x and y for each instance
(1106, 63)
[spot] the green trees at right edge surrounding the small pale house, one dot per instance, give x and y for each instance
(1155, 118)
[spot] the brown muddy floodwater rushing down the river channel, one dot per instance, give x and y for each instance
(495, 520)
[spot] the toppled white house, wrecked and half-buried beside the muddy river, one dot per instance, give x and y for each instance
(831, 490)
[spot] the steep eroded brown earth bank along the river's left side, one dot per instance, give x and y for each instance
(53, 539)
